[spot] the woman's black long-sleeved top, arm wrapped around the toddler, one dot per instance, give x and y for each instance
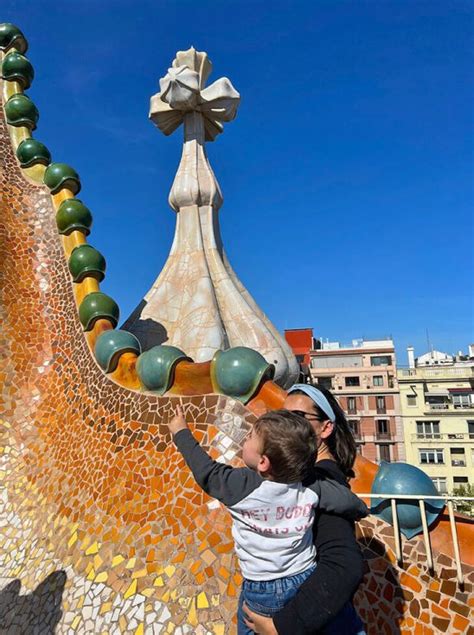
(336, 577)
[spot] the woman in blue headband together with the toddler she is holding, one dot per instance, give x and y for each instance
(273, 503)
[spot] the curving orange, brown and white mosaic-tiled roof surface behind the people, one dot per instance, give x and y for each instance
(100, 518)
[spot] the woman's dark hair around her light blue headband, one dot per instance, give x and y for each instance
(341, 443)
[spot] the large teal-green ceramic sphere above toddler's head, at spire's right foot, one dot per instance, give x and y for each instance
(239, 371)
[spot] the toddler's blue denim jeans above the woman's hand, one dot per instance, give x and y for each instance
(267, 597)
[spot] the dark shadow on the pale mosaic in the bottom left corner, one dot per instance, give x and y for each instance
(36, 612)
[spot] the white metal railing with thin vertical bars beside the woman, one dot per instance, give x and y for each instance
(421, 501)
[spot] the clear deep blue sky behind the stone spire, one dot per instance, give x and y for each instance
(347, 175)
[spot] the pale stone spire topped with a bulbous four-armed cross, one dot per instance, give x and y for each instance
(197, 303)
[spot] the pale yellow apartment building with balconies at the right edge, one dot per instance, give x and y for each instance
(437, 402)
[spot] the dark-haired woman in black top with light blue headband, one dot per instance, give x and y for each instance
(323, 602)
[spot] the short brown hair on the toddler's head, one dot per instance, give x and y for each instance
(289, 442)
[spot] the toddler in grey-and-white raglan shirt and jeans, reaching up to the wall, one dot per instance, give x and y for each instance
(272, 502)
